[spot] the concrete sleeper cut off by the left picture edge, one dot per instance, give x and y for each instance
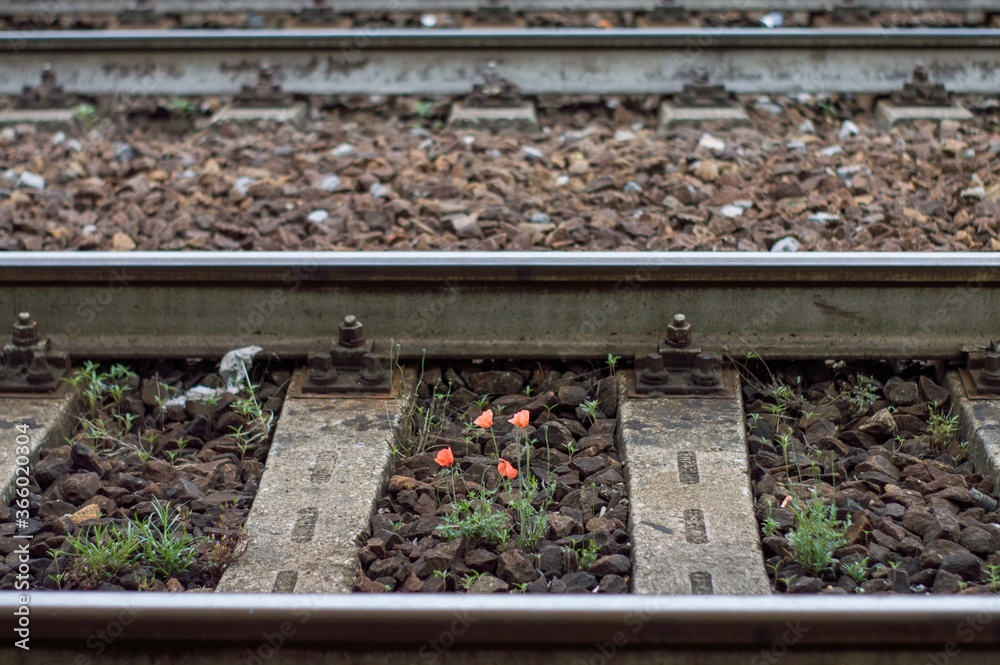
(49, 421)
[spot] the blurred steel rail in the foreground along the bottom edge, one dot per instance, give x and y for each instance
(408, 621)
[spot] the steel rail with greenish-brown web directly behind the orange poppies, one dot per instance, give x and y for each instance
(509, 305)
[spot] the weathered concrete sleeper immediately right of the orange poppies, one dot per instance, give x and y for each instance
(692, 519)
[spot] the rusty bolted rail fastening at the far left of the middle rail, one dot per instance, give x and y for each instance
(28, 363)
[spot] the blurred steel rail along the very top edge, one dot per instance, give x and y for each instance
(33, 7)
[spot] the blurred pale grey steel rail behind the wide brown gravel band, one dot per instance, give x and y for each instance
(540, 61)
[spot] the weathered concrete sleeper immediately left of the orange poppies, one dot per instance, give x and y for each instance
(327, 465)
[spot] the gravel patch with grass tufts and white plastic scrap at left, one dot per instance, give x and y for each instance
(144, 457)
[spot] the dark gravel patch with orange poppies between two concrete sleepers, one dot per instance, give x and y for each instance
(479, 504)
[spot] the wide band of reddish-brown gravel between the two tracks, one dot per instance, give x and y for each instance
(386, 174)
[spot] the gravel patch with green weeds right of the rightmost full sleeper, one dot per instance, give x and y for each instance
(872, 452)
